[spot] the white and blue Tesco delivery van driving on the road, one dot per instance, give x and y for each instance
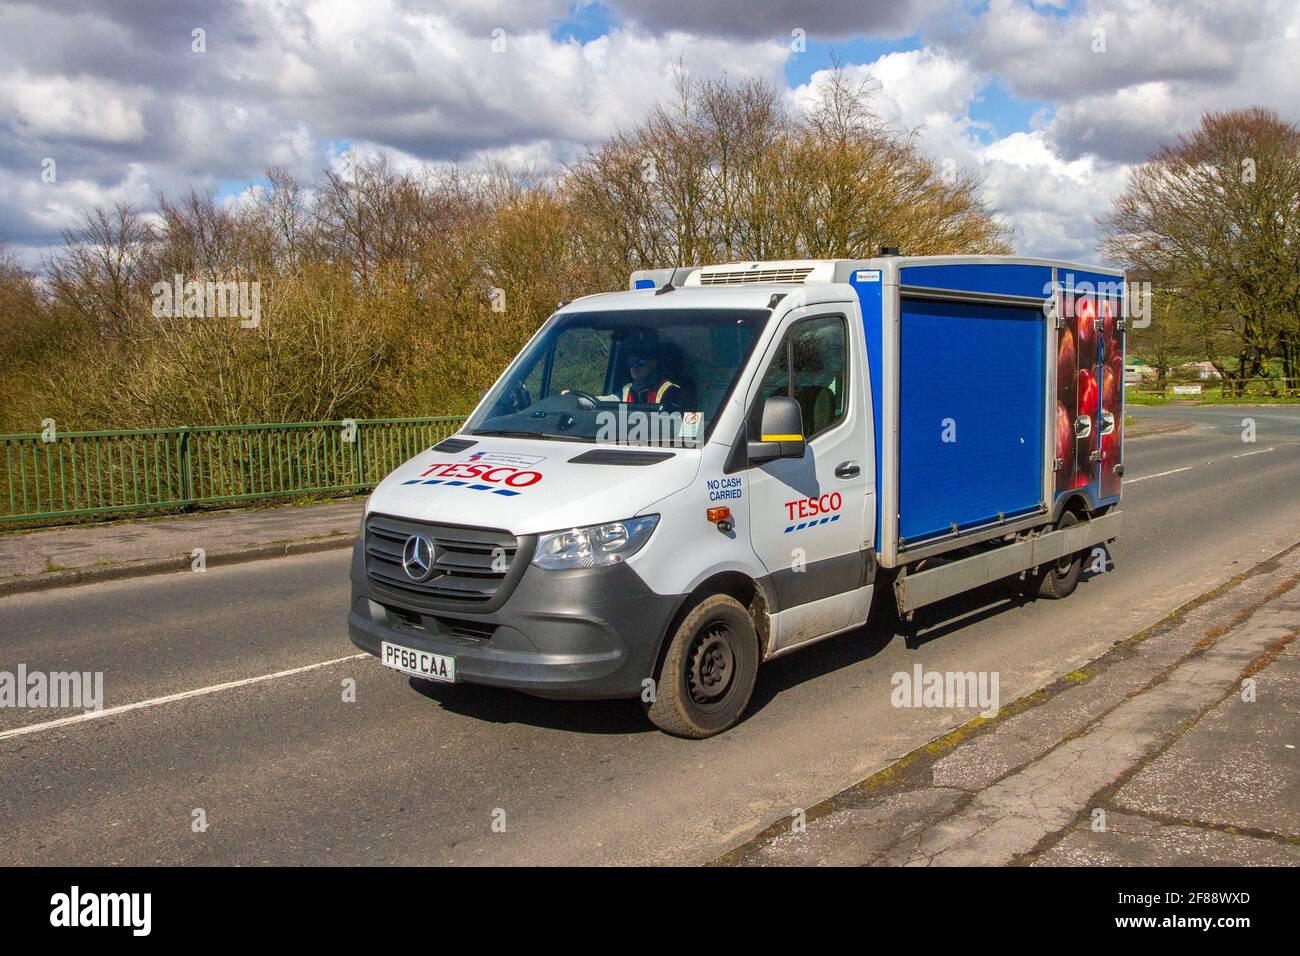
(674, 485)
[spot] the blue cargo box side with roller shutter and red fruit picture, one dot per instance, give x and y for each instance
(974, 341)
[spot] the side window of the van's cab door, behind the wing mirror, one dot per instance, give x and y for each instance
(811, 366)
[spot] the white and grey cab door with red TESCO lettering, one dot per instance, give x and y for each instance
(812, 518)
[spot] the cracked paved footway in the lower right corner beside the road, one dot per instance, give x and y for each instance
(1175, 749)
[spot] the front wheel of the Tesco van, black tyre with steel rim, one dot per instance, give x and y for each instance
(708, 673)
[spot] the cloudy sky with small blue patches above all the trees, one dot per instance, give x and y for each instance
(1050, 103)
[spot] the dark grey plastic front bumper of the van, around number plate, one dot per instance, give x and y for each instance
(591, 633)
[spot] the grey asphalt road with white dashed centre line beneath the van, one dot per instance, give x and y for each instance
(284, 771)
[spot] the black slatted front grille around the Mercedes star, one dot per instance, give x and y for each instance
(473, 568)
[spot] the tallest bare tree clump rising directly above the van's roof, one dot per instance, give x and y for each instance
(725, 172)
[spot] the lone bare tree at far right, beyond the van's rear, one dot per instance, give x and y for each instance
(1216, 217)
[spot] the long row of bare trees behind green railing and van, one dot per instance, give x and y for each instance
(387, 292)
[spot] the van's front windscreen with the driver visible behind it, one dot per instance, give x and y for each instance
(627, 378)
